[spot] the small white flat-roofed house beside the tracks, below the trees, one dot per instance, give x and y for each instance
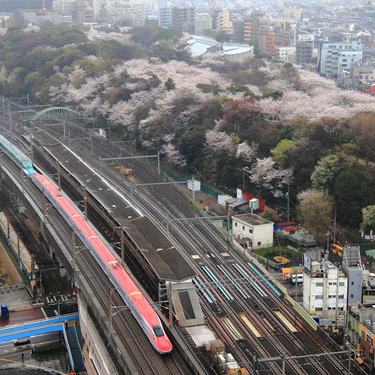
(255, 228)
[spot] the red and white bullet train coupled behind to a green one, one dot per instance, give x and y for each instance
(141, 309)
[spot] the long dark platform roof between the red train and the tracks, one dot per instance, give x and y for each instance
(159, 253)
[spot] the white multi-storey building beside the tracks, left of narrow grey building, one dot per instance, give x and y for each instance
(325, 292)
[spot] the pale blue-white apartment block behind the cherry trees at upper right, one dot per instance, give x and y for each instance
(336, 57)
